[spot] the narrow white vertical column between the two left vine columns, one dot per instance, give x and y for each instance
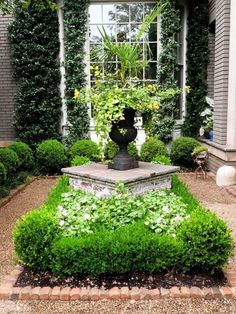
(63, 121)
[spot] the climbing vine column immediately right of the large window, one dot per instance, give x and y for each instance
(162, 124)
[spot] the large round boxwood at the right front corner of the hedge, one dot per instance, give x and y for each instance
(207, 242)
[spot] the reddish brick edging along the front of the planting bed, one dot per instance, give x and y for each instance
(9, 292)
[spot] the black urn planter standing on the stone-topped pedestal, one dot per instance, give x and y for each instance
(122, 133)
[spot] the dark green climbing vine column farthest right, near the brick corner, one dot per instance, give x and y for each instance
(197, 60)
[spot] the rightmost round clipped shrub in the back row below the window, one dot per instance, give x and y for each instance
(182, 149)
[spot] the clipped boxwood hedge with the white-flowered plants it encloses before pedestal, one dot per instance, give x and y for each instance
(83, 234)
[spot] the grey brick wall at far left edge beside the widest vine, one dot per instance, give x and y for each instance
(8, 85)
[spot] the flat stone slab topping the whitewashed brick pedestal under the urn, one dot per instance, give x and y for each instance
(100, 172)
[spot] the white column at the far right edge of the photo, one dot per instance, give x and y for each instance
(231, 119)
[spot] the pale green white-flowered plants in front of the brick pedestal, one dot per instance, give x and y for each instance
(80, 213)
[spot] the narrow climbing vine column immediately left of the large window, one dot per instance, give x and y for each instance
(75, 19)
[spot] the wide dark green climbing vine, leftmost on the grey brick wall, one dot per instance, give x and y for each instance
(35, 47)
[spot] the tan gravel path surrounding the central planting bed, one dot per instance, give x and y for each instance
(206, 191)
